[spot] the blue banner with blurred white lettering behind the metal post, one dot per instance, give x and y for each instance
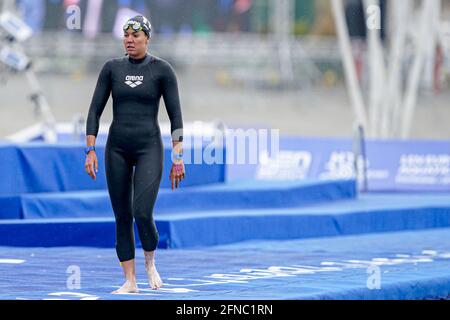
(391, 165)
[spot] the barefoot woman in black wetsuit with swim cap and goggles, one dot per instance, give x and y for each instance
(134, 150)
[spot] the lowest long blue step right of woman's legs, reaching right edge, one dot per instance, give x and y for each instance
(367, 214)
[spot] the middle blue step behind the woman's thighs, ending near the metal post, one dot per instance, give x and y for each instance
(225, 196)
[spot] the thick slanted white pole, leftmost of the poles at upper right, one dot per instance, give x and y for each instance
(349, 65)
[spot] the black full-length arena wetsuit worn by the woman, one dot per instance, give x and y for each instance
(134, 142)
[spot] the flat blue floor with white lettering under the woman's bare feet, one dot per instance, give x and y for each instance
(401, 265)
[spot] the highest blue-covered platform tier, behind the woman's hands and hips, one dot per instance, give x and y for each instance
(37, 168)
